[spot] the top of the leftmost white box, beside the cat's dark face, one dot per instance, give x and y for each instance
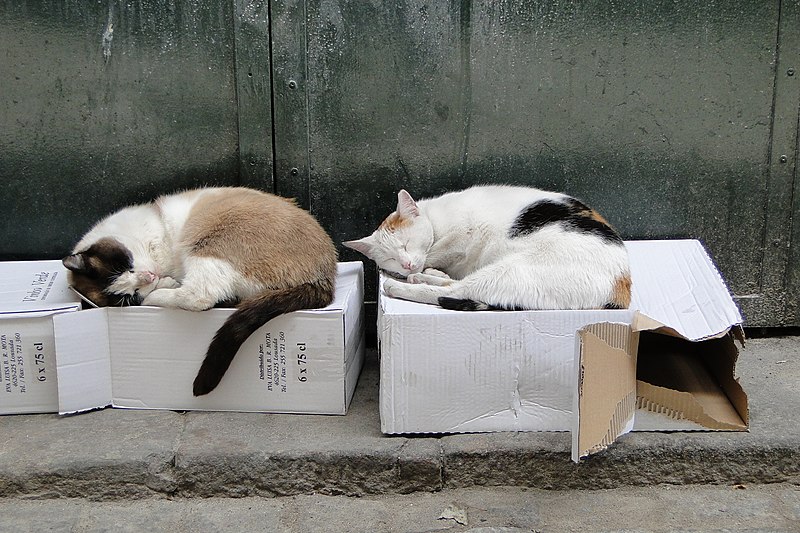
(35, 288)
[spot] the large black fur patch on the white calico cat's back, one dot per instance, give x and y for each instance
(572, 214)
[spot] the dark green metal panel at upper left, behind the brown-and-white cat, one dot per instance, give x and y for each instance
(105, 104)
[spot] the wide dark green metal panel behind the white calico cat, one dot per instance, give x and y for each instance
(659, 114)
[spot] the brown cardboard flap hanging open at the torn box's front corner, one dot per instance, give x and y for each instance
(606, 399)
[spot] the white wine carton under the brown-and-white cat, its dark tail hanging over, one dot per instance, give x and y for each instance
(147, 357)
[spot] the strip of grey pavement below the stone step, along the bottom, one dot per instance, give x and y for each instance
(764, 508)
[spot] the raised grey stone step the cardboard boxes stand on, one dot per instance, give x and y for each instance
(121, 455)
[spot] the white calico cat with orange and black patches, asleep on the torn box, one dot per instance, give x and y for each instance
(500, 247)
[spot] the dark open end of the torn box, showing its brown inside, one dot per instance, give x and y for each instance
(691, 381)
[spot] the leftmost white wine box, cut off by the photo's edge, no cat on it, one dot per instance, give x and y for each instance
(31, 294)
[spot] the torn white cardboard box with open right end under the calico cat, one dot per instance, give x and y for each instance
(667, 363)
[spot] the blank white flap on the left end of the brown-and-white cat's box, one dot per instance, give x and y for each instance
(83, 360)
